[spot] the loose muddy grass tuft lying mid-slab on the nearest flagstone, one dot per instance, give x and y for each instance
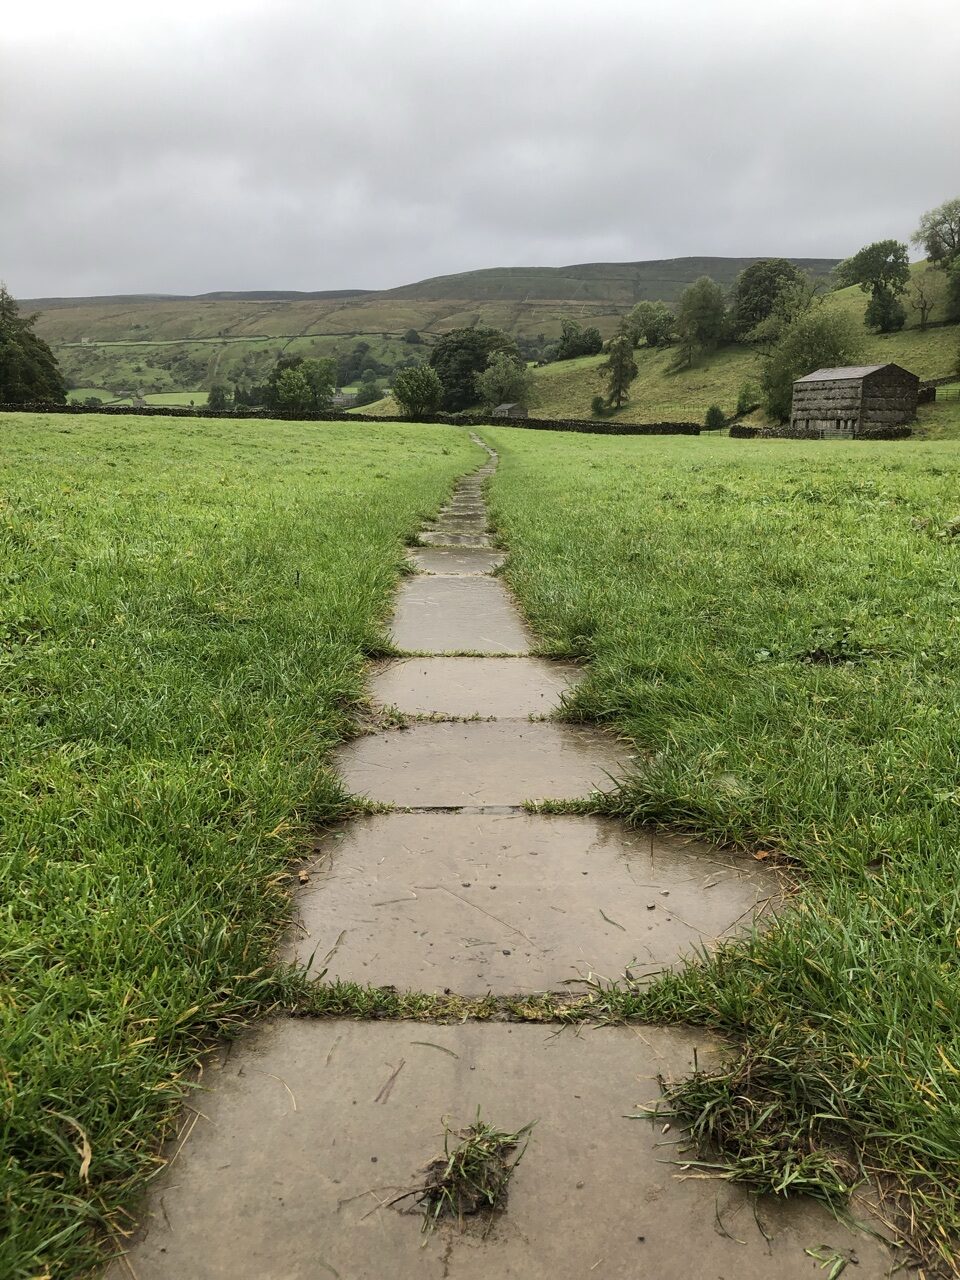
(473, 1174)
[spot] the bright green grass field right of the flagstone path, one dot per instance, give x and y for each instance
(776, 625)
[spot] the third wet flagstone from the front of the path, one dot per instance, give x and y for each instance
(474, 764)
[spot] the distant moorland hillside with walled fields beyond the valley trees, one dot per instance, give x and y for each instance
(163, 345)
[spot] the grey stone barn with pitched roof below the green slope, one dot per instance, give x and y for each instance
(861, 400)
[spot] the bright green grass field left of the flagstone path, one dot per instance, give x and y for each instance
(186, 609)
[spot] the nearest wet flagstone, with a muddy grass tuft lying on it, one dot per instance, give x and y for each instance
(312, 1128)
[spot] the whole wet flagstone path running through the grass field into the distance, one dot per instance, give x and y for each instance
(286, 1165)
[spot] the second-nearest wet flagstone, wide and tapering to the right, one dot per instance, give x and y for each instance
(478, 903)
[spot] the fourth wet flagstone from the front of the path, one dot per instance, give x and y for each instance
(473, 687)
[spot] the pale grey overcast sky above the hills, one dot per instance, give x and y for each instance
(200, 145)
